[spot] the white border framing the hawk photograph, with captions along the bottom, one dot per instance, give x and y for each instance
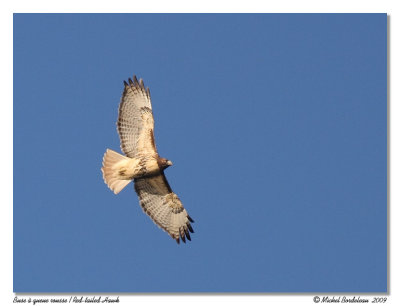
(250, 6)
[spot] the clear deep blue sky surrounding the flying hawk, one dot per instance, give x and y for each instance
(276, 125)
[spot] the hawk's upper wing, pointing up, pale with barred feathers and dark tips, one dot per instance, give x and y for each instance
(135, 121)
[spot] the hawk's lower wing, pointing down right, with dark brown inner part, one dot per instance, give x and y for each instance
(163, 206)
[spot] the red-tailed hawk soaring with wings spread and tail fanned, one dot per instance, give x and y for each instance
(143, 165)
